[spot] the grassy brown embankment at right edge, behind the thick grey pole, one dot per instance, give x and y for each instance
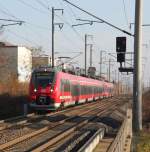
(144, 138)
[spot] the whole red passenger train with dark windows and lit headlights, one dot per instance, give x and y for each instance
(51, 89)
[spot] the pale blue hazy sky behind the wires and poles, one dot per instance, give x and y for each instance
(36, 31)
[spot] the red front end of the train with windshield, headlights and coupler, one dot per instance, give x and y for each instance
(43, 89)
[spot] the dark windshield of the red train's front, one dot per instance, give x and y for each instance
(43, 79)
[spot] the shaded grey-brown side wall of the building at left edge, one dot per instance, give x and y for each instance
(8, 63)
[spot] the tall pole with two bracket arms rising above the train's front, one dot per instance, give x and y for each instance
(53, 30)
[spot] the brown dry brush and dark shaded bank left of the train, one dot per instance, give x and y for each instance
(13, 95)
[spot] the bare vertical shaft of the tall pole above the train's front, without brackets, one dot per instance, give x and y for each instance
(53, 37)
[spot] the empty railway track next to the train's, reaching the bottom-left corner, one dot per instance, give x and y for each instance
(40, 136)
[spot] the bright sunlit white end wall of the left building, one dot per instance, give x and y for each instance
(24, 64)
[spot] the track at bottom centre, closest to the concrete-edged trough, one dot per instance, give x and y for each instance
(76, 135)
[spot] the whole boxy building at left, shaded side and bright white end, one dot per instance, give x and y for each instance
(15, 63)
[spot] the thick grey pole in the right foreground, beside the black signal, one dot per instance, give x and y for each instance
(137, 88)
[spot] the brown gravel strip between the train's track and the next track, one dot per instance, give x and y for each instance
(33, 124)
